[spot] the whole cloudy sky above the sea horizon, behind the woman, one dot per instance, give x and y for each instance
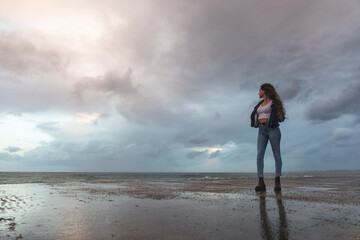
(120, 85)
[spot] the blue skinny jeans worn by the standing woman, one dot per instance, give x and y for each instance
(274, 135)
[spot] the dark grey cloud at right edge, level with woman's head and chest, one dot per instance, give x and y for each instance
(334, 106)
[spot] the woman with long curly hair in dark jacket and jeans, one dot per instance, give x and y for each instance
(266, 116)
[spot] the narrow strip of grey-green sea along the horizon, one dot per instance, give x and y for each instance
(113, 177)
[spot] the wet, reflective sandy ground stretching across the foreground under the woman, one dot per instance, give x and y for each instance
(307, 208)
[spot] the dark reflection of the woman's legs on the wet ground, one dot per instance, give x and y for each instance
(267, 232)
